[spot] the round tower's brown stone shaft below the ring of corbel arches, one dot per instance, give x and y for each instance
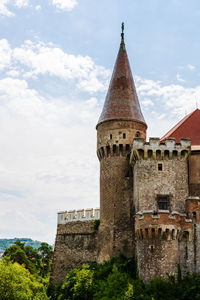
(116, 231)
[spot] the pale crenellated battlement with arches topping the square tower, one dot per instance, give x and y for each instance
(157, 150)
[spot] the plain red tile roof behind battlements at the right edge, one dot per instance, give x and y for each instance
(188, 127)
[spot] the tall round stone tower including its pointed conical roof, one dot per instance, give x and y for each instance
(121, 120)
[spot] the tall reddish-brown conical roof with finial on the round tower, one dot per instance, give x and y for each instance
(121, 102)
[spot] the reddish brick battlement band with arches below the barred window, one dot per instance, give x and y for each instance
(163, 225)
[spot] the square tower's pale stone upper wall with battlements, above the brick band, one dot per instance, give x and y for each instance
(171, 179)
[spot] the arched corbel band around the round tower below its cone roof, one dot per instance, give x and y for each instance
(113, 150)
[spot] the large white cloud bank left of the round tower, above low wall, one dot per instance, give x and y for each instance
(41, 166)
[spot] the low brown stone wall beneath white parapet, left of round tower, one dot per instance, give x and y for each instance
(76, 244)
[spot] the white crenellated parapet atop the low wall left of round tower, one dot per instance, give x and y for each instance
(78, 215)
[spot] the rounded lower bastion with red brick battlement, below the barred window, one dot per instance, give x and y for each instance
(164, 241)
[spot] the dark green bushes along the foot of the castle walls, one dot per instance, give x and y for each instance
(118, 279)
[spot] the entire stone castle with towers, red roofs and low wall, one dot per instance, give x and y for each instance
(149, 191)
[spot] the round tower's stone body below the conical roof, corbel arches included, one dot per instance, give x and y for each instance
(114, 141)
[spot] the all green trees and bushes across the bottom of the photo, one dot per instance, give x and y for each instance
(24, 275)
